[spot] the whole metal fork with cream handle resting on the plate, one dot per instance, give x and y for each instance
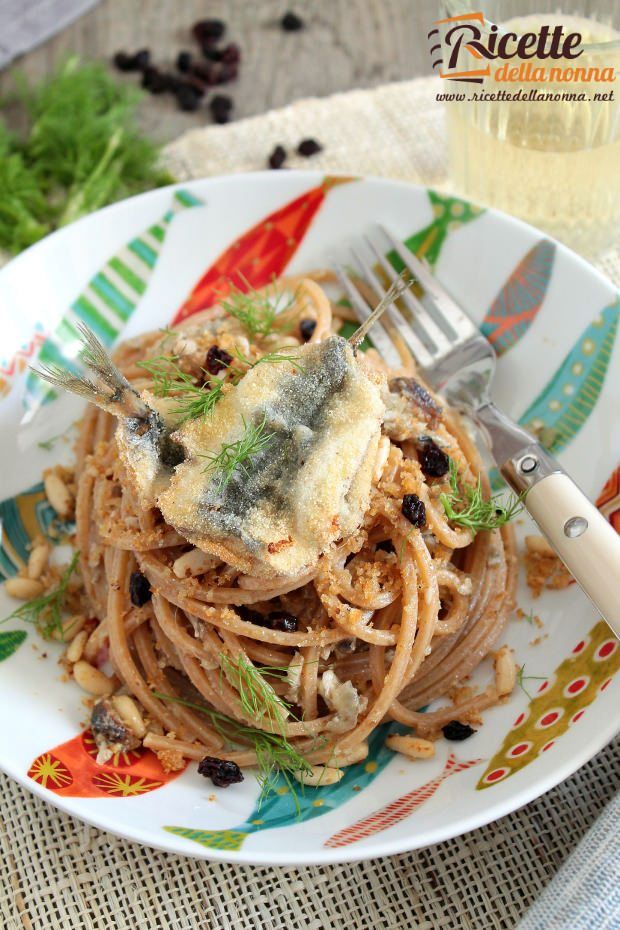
(456, 360)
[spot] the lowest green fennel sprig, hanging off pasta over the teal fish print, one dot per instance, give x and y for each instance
(274, 753)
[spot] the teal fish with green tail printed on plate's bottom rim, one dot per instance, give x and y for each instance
(278, 810)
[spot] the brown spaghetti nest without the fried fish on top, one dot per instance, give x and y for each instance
(394, 613)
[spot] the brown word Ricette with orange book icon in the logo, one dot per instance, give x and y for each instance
(464, 42)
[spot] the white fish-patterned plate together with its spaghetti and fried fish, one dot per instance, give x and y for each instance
(265, 599)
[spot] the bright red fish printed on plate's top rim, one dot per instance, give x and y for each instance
(261, 253)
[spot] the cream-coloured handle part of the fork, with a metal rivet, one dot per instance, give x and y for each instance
(587, 544)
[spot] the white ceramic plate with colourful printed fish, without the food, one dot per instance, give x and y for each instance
(150, 260)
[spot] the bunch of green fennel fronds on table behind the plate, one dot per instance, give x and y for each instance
(81, 150)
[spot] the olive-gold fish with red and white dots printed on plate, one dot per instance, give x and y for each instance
(559, 703)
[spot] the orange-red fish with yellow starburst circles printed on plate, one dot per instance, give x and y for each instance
(71, 770)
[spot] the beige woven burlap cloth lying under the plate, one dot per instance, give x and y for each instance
(58, 873)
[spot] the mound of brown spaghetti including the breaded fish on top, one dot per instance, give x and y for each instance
(228, 643)
